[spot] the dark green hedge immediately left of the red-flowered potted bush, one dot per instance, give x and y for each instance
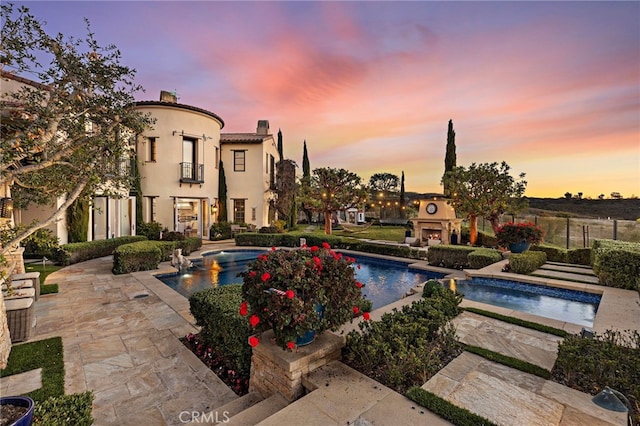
(216, 310)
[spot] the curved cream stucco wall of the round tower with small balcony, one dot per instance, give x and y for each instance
(179, 206)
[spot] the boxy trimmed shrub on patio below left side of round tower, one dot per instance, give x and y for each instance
(140, 256)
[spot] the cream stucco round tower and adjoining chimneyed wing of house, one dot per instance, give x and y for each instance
(179, 167)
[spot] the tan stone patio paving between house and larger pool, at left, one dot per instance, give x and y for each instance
(125, 348)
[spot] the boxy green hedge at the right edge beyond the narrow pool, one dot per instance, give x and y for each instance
(617, 263)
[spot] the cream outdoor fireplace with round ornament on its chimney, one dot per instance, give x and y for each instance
(436, 222)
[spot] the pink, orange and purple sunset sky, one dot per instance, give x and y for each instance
(552, 88)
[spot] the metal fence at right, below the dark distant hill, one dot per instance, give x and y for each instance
(574, 232)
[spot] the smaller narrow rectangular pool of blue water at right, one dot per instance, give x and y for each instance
(573, 306)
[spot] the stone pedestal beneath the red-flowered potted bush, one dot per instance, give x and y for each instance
(276, 370)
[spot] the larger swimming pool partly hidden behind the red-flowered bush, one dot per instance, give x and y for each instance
(385, 280)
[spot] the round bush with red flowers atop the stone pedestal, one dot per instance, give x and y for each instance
(299, 293)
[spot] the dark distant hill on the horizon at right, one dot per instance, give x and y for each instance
(625, 209)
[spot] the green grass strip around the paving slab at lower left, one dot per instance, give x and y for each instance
(45, 354)
